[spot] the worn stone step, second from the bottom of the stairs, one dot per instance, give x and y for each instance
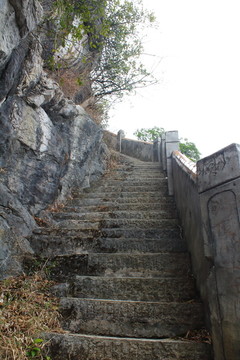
(130, 318)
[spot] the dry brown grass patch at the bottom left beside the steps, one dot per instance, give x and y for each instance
(27, 309)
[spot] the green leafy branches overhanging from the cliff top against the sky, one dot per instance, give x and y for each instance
(113, 28)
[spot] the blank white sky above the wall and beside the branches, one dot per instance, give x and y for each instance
(199, 93)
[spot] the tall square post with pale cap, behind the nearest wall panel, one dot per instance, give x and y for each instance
(172, 144)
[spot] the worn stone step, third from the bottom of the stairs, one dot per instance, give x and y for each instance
(180, 289)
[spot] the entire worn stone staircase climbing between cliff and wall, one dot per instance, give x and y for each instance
(124, 273)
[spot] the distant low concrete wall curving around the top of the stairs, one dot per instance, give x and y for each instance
(138, 149)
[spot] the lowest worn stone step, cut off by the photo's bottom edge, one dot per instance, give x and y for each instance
(89, 347)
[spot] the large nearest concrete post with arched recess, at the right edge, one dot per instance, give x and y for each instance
(219, 191)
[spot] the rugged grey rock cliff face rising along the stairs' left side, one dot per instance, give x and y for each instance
(48, 144)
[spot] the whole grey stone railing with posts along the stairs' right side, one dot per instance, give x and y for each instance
(207, 196)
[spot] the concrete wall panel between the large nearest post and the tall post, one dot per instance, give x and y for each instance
(189, 210)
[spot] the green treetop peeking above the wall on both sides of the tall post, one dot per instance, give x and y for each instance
(186, 147)
